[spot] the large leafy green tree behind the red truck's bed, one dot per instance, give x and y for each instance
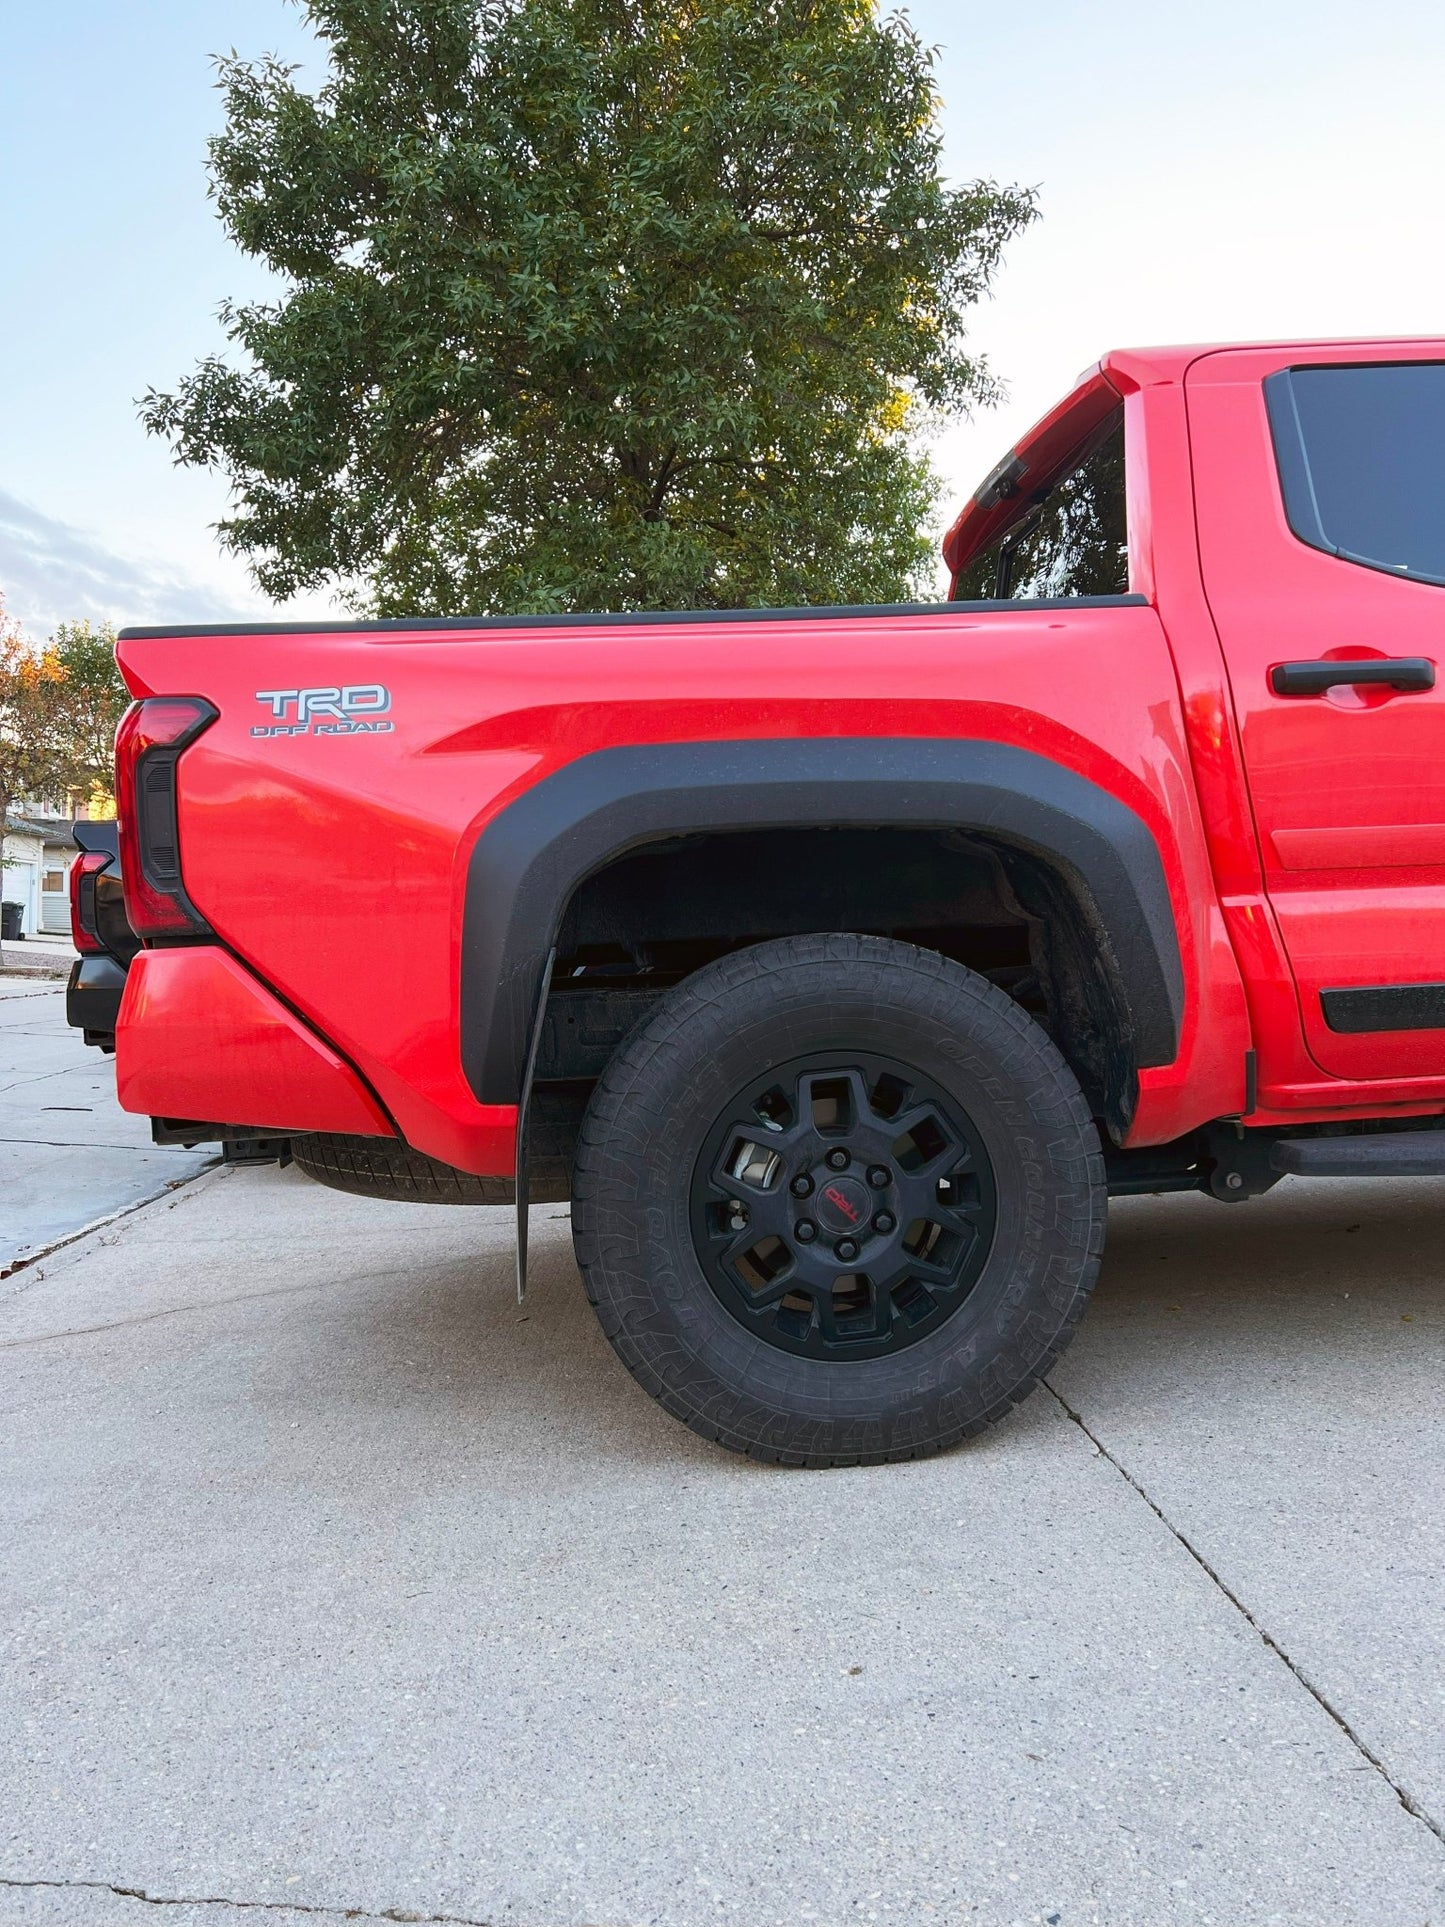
(591, 304)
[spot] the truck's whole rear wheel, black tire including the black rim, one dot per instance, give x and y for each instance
(876, 1363)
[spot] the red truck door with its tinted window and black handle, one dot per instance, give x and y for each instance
(1321, 500)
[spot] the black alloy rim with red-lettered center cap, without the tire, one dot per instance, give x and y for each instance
(843, 1207)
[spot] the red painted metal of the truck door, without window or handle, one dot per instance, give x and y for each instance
(1348, 791)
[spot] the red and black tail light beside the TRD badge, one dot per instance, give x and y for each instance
(147, 751)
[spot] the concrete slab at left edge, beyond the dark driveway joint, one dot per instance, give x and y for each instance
(68, 1153)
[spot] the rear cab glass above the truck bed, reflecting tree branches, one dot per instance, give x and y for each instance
(1068, 541)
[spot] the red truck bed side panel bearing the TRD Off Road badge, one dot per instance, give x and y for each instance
(346, 891)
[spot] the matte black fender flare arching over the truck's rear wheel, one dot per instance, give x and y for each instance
(569, 826)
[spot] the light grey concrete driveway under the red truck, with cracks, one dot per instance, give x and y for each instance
(338, 1589)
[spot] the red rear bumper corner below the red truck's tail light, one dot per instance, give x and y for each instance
(199, 1038)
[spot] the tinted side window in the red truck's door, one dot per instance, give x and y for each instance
(1363, 463)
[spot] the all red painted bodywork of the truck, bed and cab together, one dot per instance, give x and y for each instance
(334, 866)
